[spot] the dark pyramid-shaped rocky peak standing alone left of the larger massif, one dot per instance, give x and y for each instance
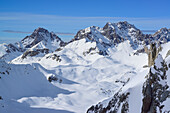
(41, 35)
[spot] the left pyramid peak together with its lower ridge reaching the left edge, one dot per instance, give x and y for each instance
(40, 41)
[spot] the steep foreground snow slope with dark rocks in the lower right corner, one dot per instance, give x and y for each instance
(131, 96)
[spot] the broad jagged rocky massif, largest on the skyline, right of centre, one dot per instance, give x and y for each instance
(110, 35)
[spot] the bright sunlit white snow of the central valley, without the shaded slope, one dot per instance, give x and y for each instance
(97, 76)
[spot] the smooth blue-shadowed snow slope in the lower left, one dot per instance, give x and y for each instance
(19, 82)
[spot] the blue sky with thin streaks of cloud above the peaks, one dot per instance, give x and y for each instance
(19, 18)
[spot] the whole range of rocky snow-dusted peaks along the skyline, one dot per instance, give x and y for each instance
(111, 34)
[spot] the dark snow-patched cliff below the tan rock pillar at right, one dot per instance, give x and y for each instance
(155, 89)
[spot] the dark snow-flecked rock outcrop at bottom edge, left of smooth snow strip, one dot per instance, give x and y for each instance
(113, 105)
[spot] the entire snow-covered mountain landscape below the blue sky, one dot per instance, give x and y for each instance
(97, 66)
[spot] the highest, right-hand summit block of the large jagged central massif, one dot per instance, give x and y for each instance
(118, 32)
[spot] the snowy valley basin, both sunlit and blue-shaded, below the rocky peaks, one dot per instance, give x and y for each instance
(88, 78)
